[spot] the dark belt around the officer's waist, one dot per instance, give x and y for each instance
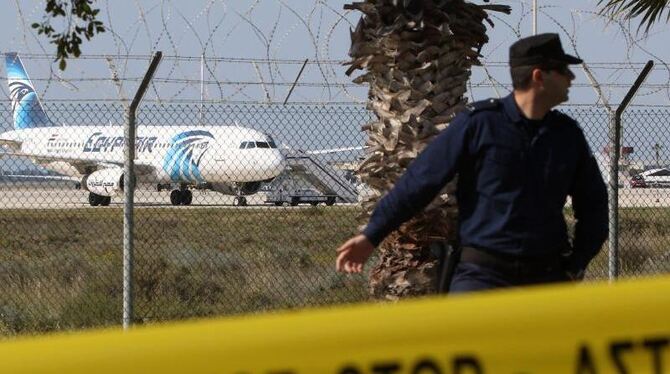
(510, 264)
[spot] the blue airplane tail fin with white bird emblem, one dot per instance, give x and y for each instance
(26, 107)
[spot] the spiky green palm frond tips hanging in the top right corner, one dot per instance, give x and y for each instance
(651, 11)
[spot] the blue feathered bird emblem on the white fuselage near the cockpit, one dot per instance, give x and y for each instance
(182, 161)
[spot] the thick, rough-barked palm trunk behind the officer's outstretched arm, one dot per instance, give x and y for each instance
(417, 57)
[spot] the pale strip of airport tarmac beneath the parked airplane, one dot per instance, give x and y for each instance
(35, 197)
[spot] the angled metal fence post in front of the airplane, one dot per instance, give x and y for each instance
(129, 192)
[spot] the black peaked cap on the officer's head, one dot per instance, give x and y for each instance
(537, 49)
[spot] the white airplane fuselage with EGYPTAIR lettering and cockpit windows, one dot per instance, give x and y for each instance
(177, 154)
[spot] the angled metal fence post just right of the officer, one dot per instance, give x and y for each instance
(613, 186)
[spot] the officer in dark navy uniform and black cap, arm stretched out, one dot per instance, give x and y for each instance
(517, 161)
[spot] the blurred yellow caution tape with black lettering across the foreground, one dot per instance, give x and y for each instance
(586, 329)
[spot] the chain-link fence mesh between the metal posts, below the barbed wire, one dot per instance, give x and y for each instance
(220, 231)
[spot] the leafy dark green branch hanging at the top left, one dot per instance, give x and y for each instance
(79, 18)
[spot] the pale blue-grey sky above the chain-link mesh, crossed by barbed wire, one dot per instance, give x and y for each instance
(238, 38)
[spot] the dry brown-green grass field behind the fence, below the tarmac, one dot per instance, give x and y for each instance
(62, 269)
